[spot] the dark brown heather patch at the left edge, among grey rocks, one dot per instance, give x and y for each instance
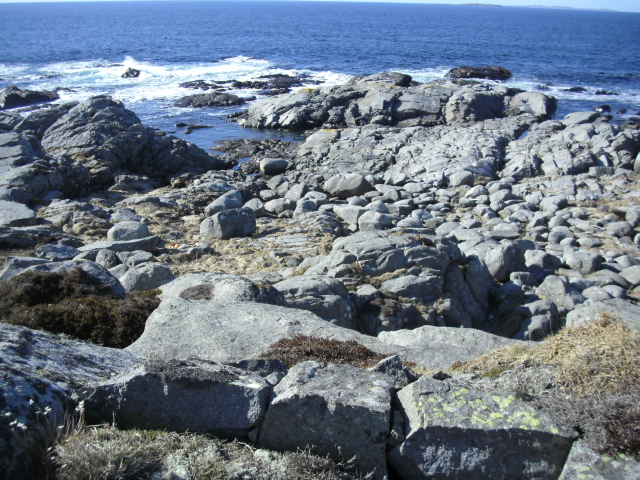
(75, 304)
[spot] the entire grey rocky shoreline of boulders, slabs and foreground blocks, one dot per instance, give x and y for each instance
(426, 223)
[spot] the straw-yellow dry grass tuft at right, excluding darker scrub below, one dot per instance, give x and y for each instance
(595, 358)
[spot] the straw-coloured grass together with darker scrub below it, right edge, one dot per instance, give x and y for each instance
(595, 381)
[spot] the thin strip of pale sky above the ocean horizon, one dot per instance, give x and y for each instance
(618, 5)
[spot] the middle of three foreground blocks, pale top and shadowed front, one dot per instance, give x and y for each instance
(353, 407)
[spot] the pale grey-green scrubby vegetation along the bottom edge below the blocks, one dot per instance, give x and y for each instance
(108, 453)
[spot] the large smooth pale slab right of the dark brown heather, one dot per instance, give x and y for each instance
(232, 331)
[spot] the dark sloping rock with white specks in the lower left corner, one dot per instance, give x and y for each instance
(37, 372)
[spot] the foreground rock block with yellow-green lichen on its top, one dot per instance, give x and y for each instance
(459, 433)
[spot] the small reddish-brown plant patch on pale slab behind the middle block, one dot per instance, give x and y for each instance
(301, 348)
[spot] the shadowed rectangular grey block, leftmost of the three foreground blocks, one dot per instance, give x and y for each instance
(182, 396)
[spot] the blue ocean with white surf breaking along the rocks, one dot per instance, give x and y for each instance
(83, 49)
